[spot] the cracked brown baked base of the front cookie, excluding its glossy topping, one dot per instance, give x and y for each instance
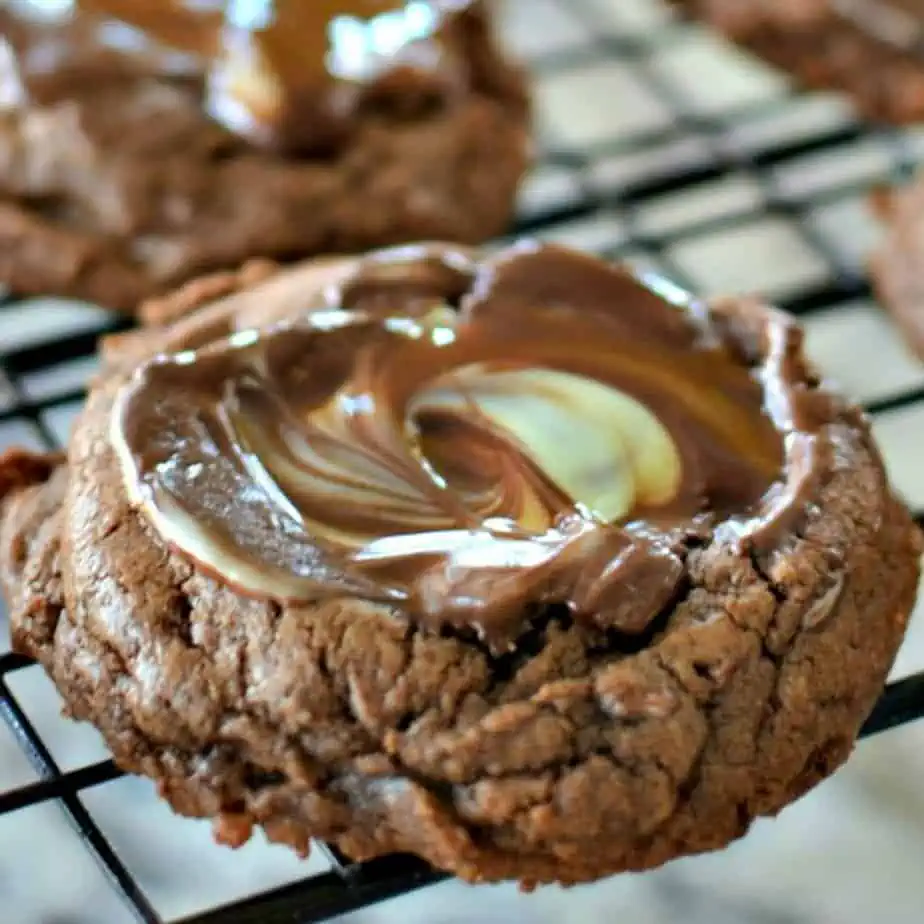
(571, 756)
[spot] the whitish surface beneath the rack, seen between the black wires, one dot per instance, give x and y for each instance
(850, 853)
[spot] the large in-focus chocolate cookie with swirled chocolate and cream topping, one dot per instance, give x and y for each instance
(529, 566)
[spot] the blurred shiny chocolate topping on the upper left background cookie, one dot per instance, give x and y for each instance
(290, 74)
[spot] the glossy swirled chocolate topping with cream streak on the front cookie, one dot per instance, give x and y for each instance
(467, 439)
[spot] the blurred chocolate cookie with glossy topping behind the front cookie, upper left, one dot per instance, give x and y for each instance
(127, 168)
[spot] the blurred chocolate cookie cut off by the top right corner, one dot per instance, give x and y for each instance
(871, 49)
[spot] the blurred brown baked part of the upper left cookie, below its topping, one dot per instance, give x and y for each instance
(115, 186)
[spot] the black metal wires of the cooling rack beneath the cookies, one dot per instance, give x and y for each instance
(350, 886)
